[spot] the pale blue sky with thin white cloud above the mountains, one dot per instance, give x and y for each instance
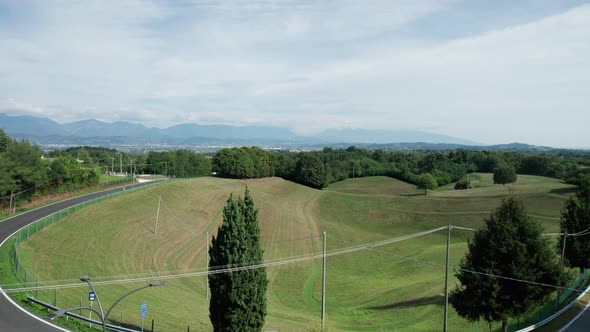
(488, 71)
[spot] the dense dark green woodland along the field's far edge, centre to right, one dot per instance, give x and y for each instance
(427, 170)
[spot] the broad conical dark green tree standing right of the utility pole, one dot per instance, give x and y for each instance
(511, 245)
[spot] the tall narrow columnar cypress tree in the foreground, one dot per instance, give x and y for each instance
(238, 298)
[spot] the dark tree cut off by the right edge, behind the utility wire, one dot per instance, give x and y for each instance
(575, 218)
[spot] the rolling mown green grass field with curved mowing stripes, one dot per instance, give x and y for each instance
(398, 288)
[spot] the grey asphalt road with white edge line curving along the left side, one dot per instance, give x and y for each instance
(12, 317)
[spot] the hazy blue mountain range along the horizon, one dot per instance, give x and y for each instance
(94, 132)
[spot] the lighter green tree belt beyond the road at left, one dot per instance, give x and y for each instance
(27, 172)
